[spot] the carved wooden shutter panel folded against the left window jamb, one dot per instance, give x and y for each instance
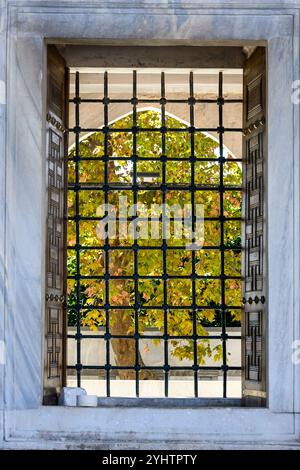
(55, 322)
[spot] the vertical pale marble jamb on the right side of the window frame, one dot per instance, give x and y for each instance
(280, 184)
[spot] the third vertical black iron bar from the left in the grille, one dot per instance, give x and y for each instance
(135, 245)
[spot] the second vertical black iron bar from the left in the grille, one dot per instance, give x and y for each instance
(106, 244)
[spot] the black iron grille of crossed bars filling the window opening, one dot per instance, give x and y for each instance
(221, 188)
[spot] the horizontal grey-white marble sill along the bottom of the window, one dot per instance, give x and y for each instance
(187, 428)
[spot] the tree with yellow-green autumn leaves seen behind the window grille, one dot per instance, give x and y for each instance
(179, 262)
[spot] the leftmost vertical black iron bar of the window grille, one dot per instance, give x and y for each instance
(77, 230)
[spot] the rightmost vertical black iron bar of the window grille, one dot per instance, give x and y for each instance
(223, 290)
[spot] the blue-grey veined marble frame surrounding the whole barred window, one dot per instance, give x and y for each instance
(29, 26)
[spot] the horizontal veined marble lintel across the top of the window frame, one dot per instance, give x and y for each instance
(152, 26)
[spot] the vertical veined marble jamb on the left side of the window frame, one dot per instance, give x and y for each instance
(25, 227)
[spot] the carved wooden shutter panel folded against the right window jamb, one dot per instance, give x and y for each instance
(254, 255)
